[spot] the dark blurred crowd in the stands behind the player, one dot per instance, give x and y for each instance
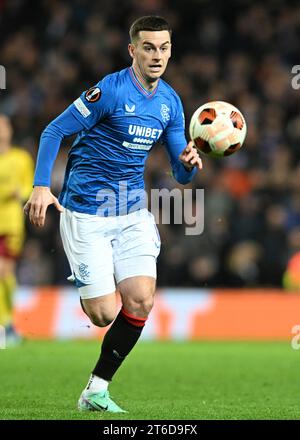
(236, 51)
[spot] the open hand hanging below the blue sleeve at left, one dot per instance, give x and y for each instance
(36, 207)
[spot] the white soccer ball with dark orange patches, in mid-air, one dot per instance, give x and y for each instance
(218, 129)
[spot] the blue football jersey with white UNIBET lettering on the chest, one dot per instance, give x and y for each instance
(121, 121)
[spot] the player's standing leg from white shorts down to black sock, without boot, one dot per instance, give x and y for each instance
(136, 247)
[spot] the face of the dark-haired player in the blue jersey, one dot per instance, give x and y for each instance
(150, 54)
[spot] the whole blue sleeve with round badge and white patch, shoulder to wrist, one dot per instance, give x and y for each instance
(93, 105)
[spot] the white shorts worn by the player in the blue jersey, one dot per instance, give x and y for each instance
(103, 251)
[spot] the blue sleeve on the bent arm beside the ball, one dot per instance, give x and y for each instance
(175, 141)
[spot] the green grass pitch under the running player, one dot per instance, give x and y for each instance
(200, 380)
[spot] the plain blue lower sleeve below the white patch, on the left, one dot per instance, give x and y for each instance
(64, 125)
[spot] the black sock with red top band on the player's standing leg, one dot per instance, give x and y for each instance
(117, 343)
